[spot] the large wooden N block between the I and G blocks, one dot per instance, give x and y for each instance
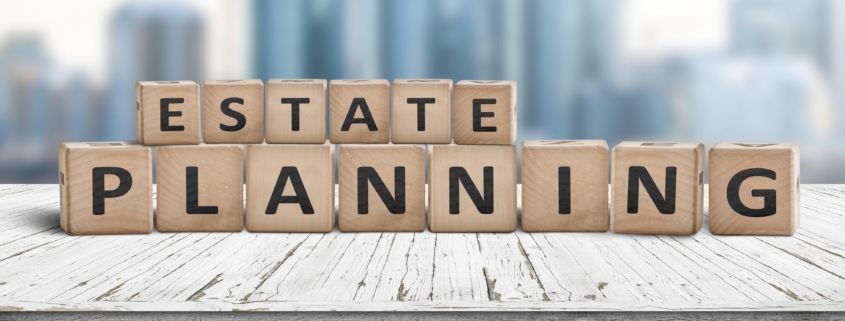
(657, 188)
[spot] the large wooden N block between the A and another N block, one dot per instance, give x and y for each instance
(382, 188)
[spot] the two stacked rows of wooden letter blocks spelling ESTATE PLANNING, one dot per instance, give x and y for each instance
(656, 187)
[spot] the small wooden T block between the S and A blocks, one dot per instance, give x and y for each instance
(296, 111)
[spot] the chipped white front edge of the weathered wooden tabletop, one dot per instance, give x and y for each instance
(427, 306)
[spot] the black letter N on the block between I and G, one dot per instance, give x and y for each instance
(664, 205)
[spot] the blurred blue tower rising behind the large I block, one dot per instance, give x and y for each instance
(572, 66)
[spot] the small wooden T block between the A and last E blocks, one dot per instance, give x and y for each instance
(421, 111)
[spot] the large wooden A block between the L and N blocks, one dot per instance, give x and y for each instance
(290, 188)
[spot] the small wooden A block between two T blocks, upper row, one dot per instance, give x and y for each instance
(360, 111)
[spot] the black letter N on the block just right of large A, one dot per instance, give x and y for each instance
(394, 205)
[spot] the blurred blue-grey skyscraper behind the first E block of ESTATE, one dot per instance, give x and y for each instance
(149, 41)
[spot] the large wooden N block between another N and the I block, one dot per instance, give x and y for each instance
(472, 188)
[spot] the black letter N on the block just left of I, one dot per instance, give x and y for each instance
(483, 204)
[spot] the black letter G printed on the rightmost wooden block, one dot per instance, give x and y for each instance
(769, 195)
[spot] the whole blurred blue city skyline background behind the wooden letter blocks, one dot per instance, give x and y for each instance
(674, 70)
